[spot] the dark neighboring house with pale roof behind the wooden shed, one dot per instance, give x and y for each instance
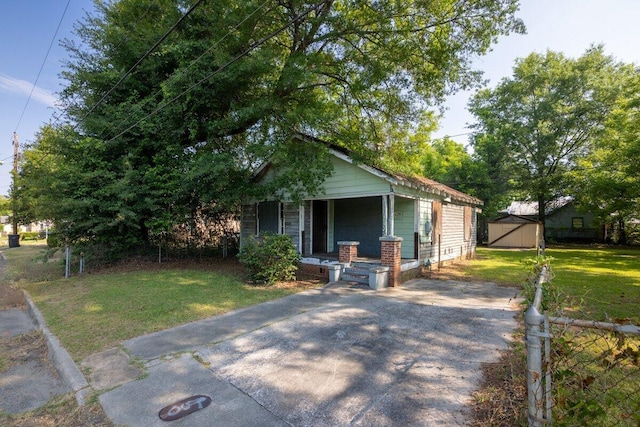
(562, 221)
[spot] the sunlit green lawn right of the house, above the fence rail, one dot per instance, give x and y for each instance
(605, 281)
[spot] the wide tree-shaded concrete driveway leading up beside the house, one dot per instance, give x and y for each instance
(386, 359)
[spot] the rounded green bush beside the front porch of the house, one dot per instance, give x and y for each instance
(270, 258)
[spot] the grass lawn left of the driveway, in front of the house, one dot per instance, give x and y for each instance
(93, 312)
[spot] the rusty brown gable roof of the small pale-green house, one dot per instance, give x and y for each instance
(419, 183)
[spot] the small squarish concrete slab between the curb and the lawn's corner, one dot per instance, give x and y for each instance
(109, 369)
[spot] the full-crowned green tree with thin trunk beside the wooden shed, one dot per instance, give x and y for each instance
(535, 126)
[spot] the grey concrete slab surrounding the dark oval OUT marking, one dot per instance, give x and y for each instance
(138, 403)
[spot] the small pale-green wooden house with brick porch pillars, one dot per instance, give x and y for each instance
(366, 217)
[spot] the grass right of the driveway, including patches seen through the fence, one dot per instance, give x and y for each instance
(594, 283)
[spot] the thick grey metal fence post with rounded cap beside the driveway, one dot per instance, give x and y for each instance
(534, 319)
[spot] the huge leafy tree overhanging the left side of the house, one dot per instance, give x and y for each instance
(161, 132)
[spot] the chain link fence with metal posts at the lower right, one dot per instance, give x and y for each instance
(580, 372)
